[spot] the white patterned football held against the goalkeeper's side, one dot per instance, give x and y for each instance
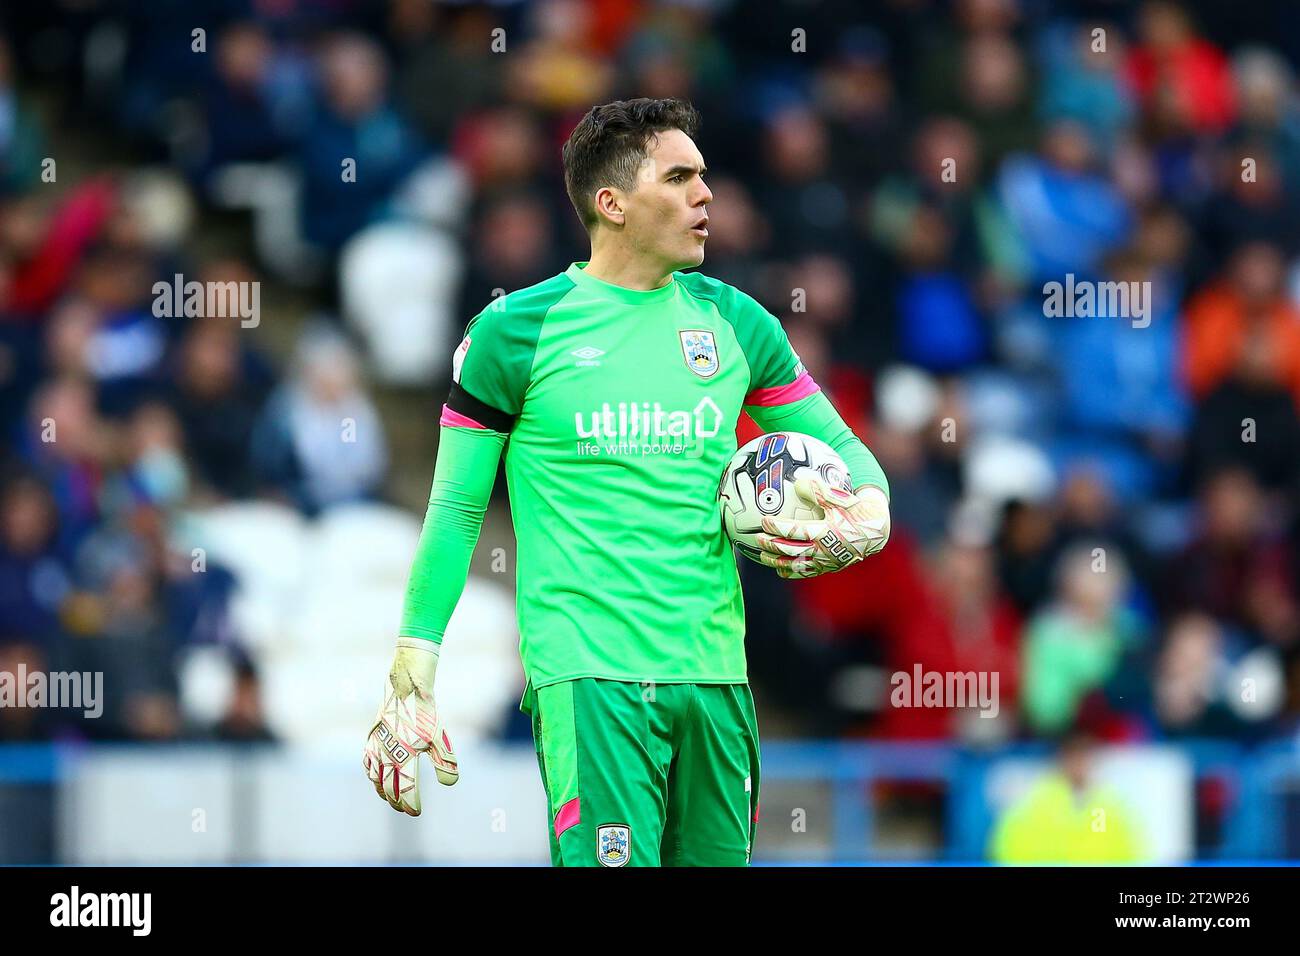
(760, 481)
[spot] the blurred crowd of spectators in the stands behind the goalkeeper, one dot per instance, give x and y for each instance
(1100, 511)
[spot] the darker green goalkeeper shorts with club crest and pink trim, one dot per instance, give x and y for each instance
(648, 775)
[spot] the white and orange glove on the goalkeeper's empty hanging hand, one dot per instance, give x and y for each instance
(408, 726)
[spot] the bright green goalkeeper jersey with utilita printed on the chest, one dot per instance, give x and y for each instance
(617, 410)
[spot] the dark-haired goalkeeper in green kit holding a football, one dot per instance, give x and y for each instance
(614, 392)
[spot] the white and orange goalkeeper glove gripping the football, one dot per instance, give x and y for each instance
(852, 529)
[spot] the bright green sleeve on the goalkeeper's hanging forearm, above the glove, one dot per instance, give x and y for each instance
(463, 477)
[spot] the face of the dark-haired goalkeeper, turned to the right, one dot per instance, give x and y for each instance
(665, 217)
